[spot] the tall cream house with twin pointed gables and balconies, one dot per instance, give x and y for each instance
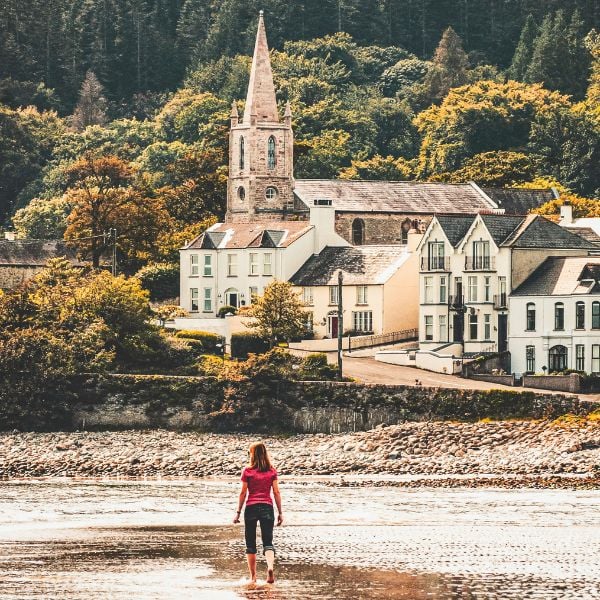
(468, 267)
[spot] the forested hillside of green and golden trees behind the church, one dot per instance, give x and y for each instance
(114, 113)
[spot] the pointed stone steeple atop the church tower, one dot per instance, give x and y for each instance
(261, 104)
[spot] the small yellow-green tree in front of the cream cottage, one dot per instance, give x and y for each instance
(278, 314)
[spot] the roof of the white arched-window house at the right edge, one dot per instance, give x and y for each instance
(562, 276)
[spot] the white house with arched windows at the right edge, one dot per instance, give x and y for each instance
(555, 317)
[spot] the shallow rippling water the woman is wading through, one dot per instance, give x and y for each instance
(118, 540)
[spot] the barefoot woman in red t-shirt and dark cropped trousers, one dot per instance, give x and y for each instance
(258, 478)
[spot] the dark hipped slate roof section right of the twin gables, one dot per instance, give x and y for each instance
(538, 232)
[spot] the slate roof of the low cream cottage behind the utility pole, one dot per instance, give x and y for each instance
(361, 265)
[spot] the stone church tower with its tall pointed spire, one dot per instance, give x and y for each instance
(260, 185)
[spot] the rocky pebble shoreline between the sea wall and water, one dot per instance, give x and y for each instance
(563, 453)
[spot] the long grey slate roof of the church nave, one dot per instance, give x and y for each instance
(394, 196)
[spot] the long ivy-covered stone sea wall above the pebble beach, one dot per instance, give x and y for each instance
(184, 403)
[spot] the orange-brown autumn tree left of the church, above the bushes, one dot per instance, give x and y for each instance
(105, 193)
